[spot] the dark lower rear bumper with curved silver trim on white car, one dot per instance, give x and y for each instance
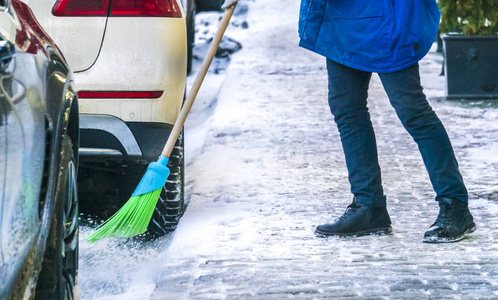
(106, 138)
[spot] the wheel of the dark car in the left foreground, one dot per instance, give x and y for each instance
(58, 278)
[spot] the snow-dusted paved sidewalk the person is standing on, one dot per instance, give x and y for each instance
(272, 168)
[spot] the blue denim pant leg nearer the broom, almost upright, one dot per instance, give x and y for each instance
(348, 91)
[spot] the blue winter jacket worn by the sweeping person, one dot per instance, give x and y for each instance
(371, 35)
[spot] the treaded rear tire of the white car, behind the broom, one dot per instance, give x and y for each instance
(171, 204)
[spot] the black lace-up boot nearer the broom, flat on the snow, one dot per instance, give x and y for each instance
(359, 219)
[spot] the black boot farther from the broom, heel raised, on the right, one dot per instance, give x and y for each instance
(452, 223)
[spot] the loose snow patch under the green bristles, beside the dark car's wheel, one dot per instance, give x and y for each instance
(118, 269)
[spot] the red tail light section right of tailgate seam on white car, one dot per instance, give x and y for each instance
(146, 8)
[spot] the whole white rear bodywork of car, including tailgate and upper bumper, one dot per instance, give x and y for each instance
(136, 54)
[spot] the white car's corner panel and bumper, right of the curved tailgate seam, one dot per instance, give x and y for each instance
(159, 64)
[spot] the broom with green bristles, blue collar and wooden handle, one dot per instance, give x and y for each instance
(134, 217)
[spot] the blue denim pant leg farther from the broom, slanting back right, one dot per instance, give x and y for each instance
(421, 122)
